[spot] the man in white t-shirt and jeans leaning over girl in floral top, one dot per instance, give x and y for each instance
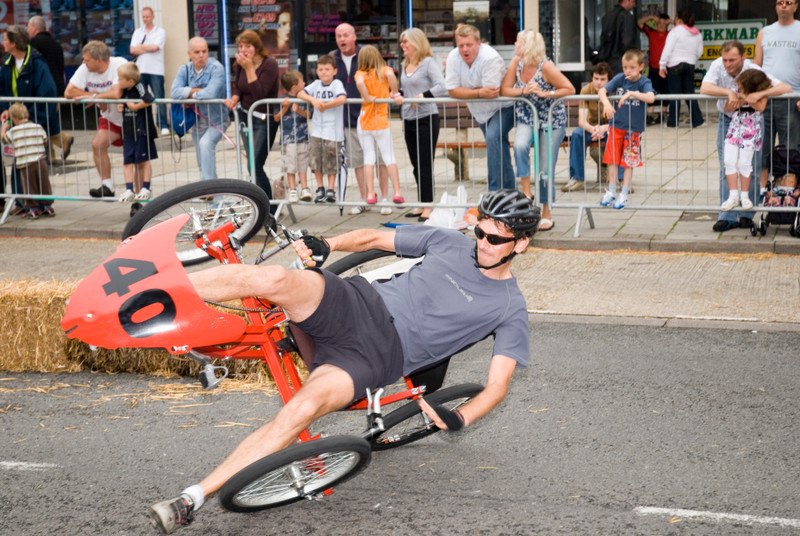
(720, 81)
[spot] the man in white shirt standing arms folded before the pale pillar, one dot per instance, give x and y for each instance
(147, 44)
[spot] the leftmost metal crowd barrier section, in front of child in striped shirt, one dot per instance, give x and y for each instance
(71, 178)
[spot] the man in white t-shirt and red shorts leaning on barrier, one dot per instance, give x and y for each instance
(96, 78)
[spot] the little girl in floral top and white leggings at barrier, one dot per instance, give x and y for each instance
(743, 139)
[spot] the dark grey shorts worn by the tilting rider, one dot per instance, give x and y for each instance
(353, 330)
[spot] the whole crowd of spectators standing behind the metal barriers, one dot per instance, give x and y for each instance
(320, 130)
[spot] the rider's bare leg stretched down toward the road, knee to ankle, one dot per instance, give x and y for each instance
(327, 389)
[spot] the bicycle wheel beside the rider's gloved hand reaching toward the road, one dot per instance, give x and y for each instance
(408, 423)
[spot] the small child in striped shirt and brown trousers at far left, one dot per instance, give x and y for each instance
(29, 141)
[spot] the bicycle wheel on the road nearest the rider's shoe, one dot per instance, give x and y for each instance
(298, 472)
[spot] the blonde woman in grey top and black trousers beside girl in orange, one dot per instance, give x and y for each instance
(420, 78)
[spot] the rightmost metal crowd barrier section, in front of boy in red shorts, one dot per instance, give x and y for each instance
(681, 168)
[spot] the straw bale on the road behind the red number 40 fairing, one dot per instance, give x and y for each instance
(31, 340)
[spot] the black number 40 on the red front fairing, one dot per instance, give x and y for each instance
(123, 273)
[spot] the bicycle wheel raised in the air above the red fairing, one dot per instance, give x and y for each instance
(210, 204)
